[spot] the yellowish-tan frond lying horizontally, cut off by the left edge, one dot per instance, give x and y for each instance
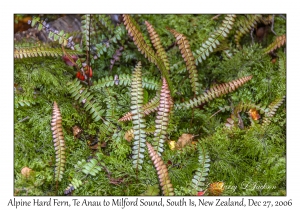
(42, 51)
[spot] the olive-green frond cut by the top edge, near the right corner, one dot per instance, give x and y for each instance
(246, 23)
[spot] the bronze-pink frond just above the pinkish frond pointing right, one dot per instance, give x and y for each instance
(189, 59)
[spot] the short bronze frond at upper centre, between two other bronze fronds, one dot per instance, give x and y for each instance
(157, 45)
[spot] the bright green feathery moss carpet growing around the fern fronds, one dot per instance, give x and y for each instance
(241, 158)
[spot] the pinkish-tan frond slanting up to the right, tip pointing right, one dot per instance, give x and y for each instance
(213, 92)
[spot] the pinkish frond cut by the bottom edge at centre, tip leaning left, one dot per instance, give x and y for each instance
(162, 171)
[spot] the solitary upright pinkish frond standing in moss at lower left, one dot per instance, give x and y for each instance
(59, 142)
